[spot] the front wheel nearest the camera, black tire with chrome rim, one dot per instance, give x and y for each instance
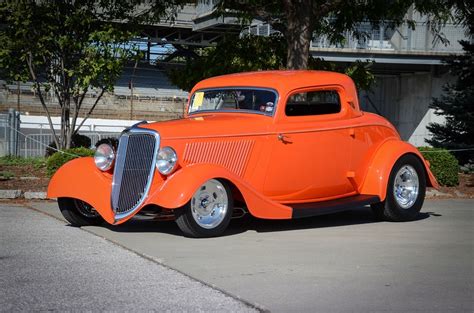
(209, 211)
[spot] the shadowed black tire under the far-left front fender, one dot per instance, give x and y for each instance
(78, 212)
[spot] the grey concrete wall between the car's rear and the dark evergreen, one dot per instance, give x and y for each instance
(404, 100)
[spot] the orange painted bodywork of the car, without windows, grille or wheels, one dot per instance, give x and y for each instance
(273, 160)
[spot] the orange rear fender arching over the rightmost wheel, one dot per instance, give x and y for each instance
(378, 172)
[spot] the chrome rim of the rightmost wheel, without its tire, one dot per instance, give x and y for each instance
(406, 186)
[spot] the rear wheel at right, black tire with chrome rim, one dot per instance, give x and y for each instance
(405, 191)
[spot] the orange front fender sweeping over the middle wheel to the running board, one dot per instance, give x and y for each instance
(178, 189)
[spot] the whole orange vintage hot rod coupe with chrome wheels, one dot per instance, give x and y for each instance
(277, 144)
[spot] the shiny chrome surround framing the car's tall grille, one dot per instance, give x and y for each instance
(118, 180)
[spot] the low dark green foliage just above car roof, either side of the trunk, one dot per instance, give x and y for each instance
(252, 53)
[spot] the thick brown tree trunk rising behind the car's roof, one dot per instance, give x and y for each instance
(298, 33)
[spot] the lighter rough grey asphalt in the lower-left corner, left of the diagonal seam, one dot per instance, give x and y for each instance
(48, 266)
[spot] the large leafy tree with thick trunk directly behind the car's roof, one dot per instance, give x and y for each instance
(297, 22)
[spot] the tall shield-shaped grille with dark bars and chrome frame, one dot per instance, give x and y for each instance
(134, 168)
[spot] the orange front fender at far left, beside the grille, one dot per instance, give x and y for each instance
(80, 179)
